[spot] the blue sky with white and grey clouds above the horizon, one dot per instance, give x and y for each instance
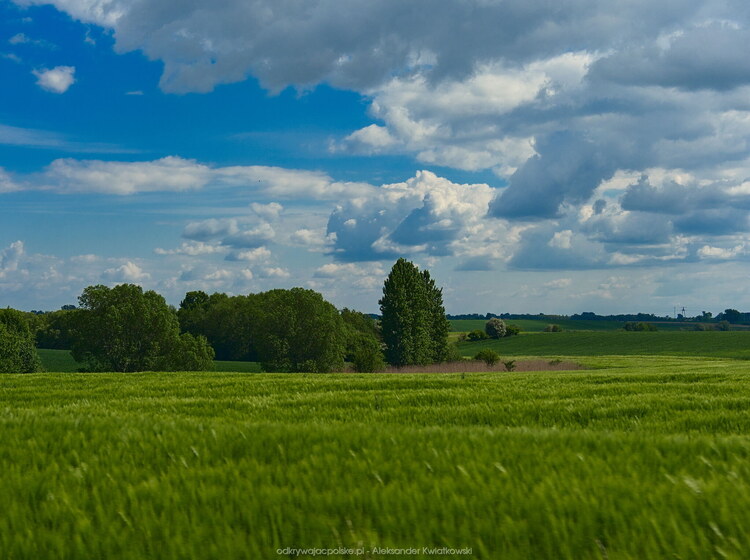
(535, 156)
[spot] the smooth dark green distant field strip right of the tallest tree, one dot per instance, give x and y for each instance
(731, 344)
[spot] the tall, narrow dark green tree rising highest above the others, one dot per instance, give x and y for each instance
(413, 324)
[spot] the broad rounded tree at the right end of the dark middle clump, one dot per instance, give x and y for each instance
(299, 331)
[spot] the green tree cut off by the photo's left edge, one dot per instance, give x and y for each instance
(17, 349)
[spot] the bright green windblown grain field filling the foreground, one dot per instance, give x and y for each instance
(643, 457)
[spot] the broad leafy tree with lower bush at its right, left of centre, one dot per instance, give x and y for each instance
(126, 329)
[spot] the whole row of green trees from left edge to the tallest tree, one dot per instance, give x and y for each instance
(124, 328)
